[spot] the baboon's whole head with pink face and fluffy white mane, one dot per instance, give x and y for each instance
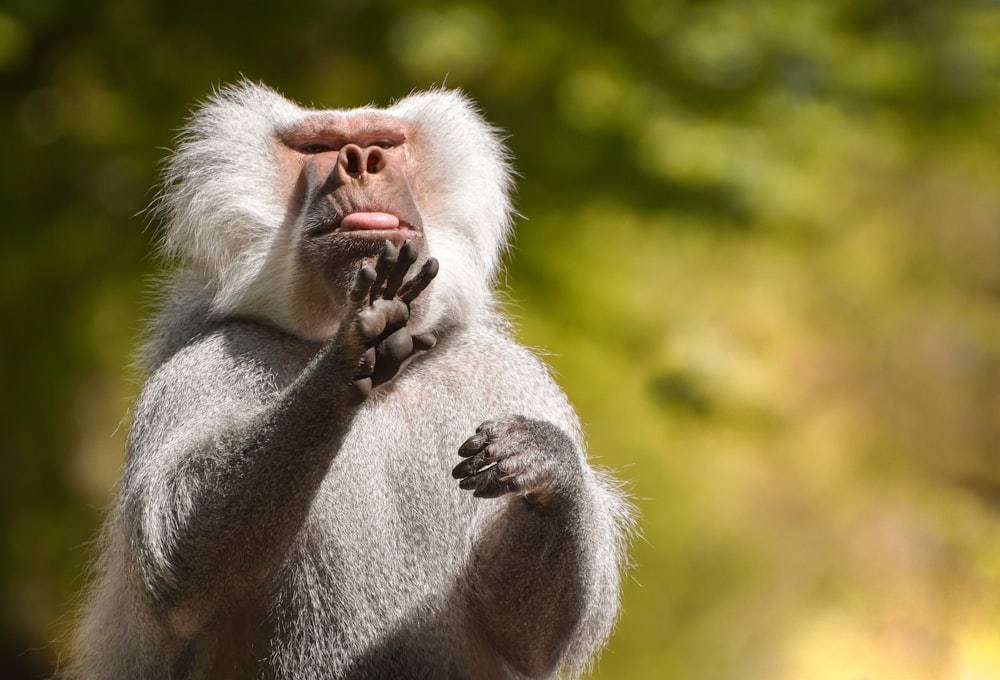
(271, 207)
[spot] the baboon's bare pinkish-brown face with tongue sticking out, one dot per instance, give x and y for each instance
(351, 194)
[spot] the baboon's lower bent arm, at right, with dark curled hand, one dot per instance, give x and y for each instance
(545, 571)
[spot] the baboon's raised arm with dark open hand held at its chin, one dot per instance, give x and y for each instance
(223, 467)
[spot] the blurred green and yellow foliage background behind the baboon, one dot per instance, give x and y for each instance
(761, 241)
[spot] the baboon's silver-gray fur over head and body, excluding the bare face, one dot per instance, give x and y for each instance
(274, 521)
